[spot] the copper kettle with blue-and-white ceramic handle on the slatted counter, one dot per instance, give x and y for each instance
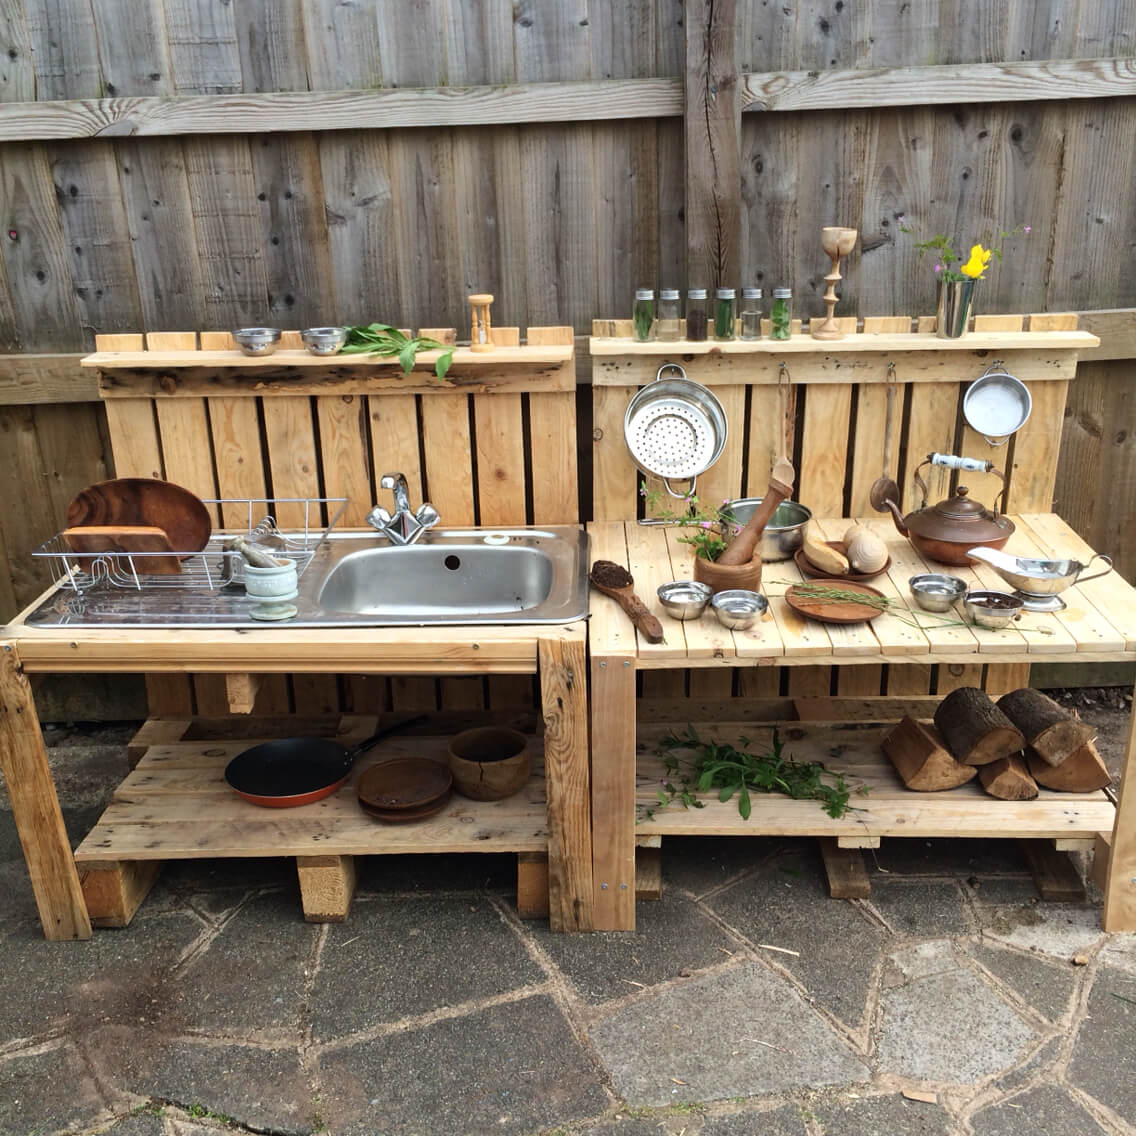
(946, 531)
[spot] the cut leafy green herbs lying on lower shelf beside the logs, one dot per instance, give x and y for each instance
(740, 772)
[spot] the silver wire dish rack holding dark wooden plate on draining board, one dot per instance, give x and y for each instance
(210, 569)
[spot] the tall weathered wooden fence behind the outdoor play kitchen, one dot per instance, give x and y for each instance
(179, 164)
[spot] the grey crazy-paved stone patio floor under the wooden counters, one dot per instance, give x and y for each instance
(748, 1003)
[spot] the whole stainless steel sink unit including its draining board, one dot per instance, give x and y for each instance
(360, 580)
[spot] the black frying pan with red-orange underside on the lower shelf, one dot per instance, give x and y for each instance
(289, 772)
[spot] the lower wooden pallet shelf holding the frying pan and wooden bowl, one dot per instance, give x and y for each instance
(176, 806)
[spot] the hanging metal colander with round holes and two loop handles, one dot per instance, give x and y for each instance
(675, 430)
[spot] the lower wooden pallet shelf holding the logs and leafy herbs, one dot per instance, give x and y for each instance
(889, 809)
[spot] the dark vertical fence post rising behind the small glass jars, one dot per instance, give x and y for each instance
(713, 119)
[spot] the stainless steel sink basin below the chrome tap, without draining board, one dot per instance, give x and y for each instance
(504, 577)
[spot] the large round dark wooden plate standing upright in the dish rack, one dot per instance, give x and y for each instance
(145, 502)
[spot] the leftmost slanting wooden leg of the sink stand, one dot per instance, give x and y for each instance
(36, 807)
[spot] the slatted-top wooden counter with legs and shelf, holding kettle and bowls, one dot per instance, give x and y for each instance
(1099, 624)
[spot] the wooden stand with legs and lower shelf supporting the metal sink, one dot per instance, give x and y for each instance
(157, 813)
